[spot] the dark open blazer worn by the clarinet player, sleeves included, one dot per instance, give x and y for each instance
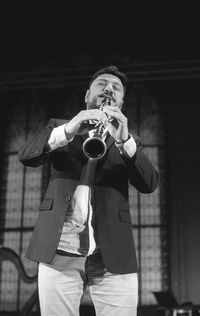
(112, 176)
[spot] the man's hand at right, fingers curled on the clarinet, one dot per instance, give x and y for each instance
(118, 128)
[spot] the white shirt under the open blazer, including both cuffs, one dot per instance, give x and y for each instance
(78, 234)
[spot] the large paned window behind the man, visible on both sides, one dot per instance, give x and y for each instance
(22, 188)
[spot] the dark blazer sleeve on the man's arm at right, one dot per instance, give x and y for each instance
(142, 174)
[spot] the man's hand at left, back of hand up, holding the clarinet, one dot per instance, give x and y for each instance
(79, 124)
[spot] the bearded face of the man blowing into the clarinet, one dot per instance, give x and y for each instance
(94, 95)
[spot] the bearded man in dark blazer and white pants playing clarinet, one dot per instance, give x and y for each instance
(83, 235)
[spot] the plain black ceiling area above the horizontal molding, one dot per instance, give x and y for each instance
(53, 34)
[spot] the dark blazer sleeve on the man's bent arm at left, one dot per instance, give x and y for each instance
(33, 153)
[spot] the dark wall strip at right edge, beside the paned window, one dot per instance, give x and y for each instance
(184, 176)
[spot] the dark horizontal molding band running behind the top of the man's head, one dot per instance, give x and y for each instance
(79, 76)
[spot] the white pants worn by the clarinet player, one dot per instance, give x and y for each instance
(61, 285)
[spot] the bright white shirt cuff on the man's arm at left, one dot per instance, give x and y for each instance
(58, 138)
